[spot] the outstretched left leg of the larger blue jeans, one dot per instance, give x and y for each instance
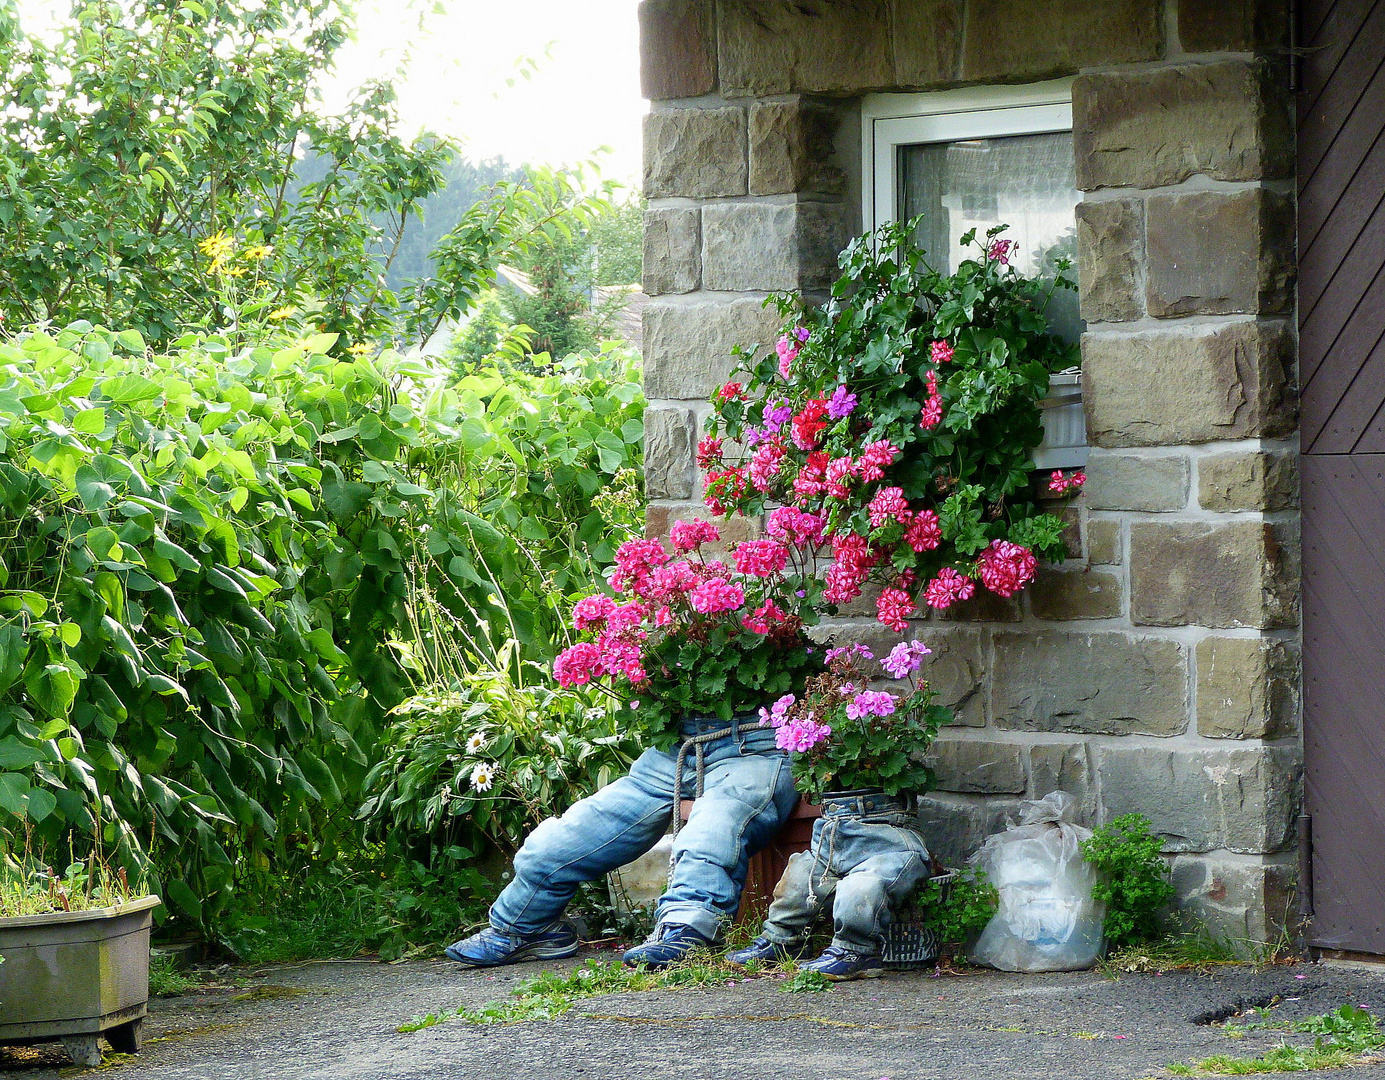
(598, 834)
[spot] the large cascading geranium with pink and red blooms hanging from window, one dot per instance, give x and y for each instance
(905, 415)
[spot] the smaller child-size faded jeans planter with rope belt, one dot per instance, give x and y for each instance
(866, 858)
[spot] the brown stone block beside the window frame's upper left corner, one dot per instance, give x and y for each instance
(793, 149)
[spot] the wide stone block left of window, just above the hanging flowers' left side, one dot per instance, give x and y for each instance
(771, 246)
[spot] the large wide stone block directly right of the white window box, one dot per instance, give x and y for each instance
(1189, 384)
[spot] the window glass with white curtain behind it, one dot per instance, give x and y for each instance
(1026, 182)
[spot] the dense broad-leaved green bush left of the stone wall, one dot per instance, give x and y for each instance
(206, 570)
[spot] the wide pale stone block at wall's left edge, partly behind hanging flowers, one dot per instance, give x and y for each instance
(688, 345)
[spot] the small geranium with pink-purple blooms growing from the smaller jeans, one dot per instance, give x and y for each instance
(846, 736)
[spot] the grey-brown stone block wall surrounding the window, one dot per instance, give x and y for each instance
(1156, 671)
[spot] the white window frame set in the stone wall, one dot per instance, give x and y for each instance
(894, 121)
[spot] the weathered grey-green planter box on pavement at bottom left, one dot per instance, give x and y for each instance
(74, 977)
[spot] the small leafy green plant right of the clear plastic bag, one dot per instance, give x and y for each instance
(1134, 880)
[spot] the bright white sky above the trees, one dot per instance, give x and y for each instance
(535, 81)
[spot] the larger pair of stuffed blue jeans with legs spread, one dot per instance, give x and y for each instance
(747, 798)
